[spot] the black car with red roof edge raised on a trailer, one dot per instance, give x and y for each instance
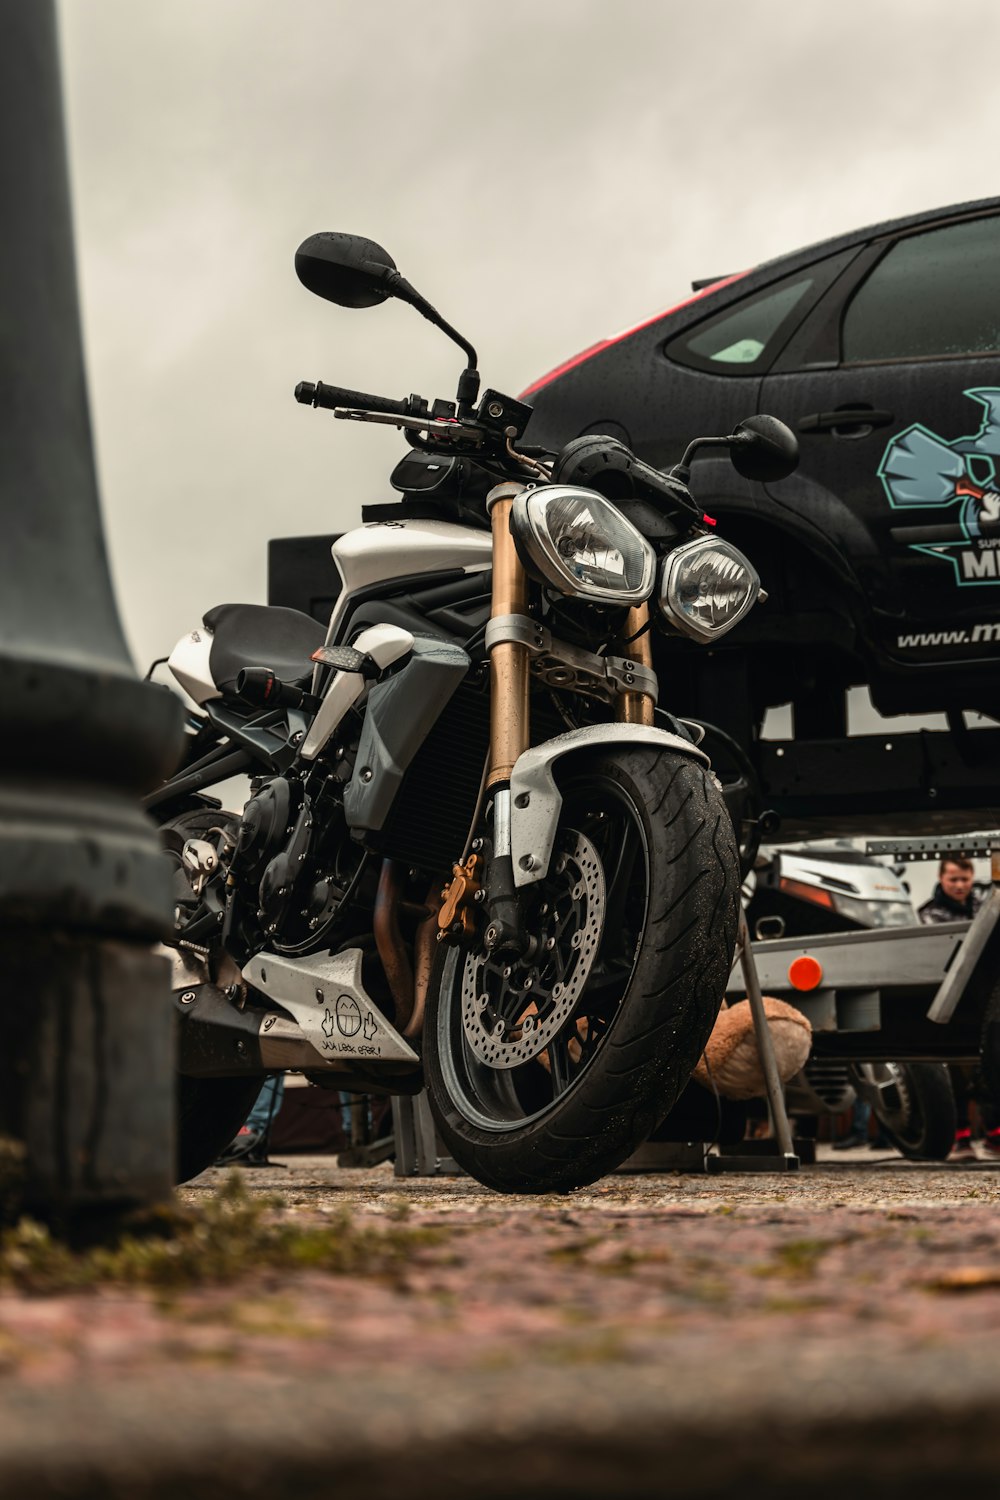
(882, 554)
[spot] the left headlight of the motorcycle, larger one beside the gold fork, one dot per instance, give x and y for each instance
(582, 545)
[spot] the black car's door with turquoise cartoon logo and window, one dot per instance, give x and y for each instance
(893, 386)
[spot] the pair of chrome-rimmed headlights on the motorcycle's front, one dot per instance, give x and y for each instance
(584, 547)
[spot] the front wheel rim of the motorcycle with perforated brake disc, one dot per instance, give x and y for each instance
(593, 907)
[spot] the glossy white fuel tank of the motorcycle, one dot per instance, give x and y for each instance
(386, 550)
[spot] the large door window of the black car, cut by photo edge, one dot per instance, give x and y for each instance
(930, 296)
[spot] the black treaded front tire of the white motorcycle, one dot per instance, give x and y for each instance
(687, 886)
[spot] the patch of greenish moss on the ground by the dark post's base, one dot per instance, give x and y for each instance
(218, 1240)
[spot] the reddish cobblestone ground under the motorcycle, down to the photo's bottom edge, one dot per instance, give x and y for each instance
(812, 1336)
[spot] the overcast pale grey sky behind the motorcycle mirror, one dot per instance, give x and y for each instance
(546, 172)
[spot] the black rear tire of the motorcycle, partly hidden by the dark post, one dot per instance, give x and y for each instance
(209, 1111)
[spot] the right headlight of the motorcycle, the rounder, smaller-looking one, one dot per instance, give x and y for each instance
(707, 587)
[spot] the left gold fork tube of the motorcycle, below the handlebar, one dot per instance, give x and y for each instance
(510, 664)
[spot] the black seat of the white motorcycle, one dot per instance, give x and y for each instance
(262, 635)
